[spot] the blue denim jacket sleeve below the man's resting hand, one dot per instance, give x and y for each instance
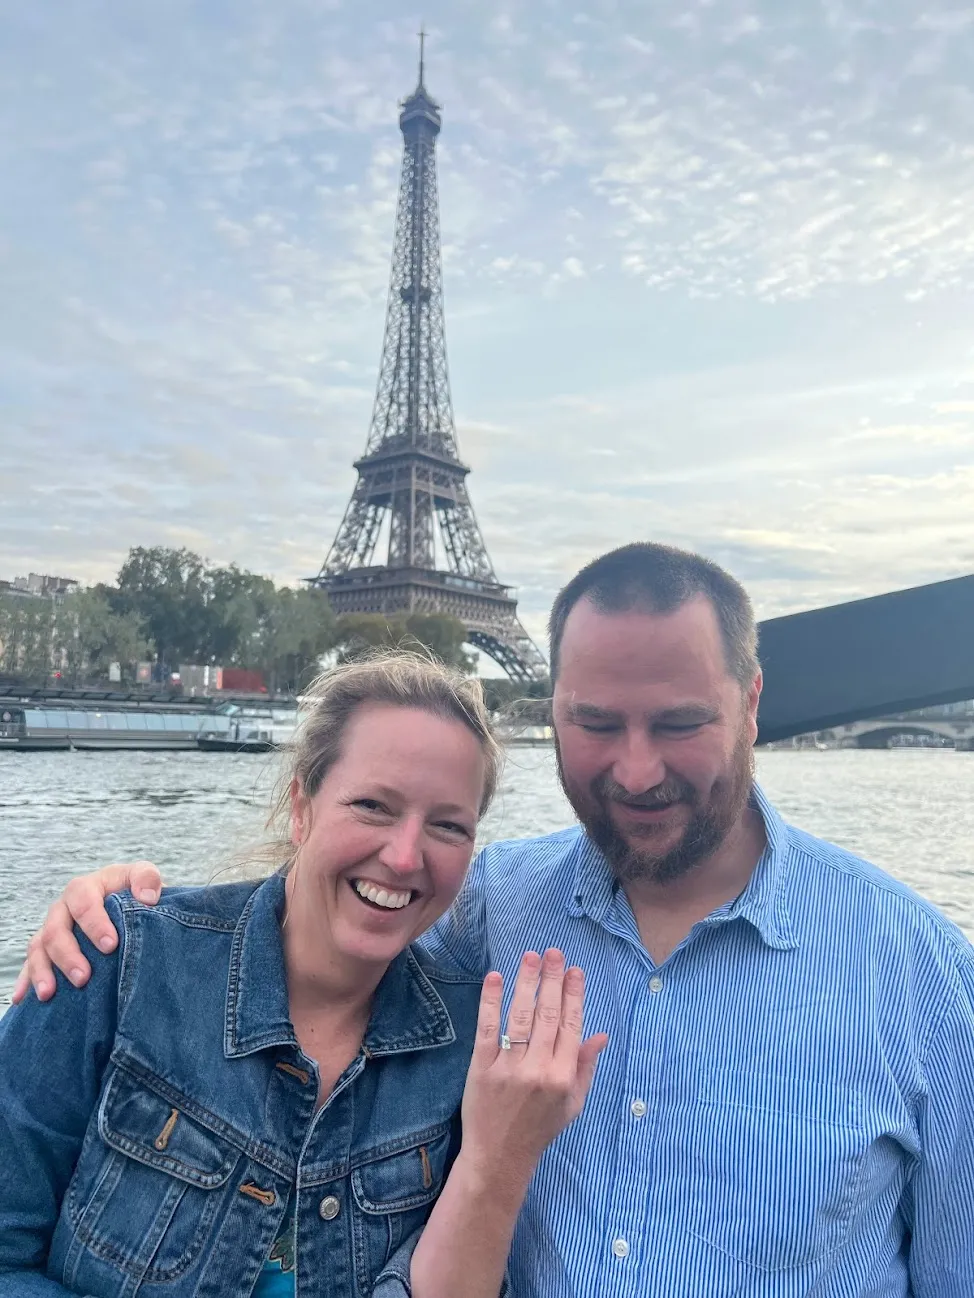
(53, 1059)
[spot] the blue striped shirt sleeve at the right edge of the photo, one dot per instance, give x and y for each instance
(941, 1197)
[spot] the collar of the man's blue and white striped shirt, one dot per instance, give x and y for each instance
(764, 904)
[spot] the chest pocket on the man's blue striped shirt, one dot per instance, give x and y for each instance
(776, 1164)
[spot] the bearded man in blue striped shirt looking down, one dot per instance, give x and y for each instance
(786, 1104)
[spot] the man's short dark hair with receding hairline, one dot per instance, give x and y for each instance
(663, 580)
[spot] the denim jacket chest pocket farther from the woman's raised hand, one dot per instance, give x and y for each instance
(147, 1191)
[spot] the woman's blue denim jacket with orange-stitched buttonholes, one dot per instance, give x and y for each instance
(154, 1123)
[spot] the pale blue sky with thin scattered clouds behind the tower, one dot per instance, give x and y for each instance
(708, 280)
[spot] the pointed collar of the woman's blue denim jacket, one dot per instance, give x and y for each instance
(408, 1013)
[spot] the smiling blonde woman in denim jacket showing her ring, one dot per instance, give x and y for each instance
(263, 1082)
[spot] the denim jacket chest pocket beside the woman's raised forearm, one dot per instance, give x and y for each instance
(394, 1190)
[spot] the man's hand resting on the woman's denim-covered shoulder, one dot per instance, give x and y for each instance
(82, 904)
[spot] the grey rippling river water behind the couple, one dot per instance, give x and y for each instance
(911, 812)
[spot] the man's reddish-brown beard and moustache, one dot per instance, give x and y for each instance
(708, 826)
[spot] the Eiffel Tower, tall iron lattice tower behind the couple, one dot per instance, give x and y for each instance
(411, 493)
